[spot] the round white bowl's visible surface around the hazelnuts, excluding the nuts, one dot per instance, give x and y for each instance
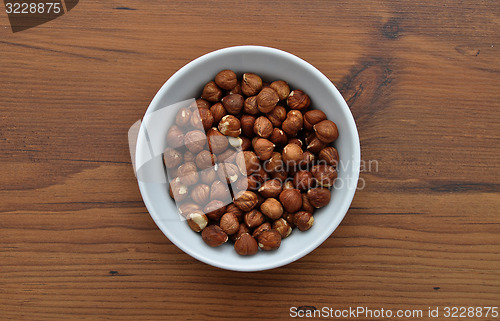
(270, 64)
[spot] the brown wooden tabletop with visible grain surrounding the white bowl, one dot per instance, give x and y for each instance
(422, 79)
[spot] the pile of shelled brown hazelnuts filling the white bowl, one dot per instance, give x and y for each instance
(249, 161)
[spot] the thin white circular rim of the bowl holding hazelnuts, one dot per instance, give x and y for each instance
(344, 205)
